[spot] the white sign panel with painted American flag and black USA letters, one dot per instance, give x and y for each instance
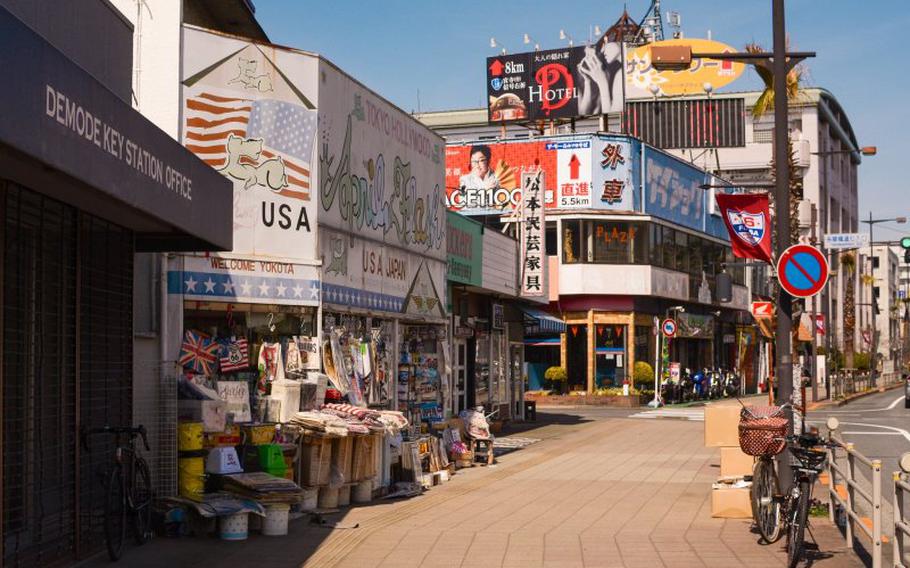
(250, 113)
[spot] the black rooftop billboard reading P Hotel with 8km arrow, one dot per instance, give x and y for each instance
(555, 84)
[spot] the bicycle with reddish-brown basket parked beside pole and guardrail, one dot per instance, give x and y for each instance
(763, 435)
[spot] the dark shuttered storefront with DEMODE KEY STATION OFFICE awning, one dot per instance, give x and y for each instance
(85, 183)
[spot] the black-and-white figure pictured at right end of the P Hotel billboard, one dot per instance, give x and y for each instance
(600, 70)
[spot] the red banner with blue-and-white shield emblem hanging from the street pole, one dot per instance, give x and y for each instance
(749, 224)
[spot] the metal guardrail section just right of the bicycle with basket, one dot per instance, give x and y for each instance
(854, 489)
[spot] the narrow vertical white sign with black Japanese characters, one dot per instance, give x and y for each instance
(532, 238)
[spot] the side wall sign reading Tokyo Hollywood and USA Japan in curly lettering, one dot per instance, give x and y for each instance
(382, 208)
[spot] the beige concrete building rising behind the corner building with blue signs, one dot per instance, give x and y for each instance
(825, 147)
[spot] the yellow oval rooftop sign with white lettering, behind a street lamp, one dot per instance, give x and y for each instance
(641, 77)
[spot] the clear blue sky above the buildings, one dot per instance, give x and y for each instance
(437, 49)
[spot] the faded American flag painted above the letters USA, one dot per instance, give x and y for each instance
(287, 130)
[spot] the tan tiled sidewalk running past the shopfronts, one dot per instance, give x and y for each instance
(604, 493)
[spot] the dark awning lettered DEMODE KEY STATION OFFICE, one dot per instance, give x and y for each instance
(65, 134)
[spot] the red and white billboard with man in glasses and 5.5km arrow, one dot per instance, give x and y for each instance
(484, 179)
